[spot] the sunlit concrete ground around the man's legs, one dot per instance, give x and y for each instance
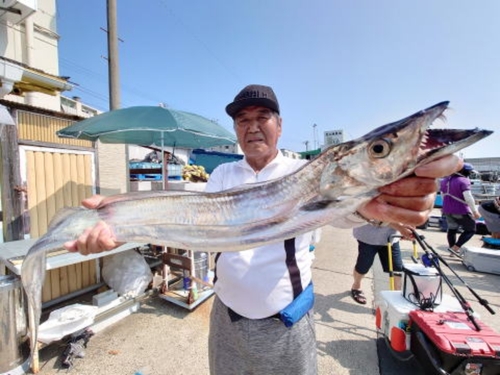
(163, 338)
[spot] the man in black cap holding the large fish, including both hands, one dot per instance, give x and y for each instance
(253, 286)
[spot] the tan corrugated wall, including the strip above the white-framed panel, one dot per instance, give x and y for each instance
(56, 178)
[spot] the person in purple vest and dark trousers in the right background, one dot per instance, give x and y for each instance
(459, 208)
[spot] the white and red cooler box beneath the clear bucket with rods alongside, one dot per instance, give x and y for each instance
(392, 316)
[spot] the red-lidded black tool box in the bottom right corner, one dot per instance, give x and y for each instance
(448, 343)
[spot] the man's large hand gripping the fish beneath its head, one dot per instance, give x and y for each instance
(411, 200)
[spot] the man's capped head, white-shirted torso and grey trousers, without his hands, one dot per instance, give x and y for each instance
(253, 286)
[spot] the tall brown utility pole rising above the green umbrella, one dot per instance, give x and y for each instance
(113, 64)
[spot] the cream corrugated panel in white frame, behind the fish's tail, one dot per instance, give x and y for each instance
(56, 179)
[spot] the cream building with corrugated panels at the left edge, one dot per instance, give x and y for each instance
(42, 173)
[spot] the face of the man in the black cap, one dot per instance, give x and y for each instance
(258, 130)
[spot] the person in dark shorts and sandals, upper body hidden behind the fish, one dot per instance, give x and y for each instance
(373, 240)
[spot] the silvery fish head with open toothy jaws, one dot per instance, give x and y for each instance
(391, 152)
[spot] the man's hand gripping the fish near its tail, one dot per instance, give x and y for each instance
(97, 239)
